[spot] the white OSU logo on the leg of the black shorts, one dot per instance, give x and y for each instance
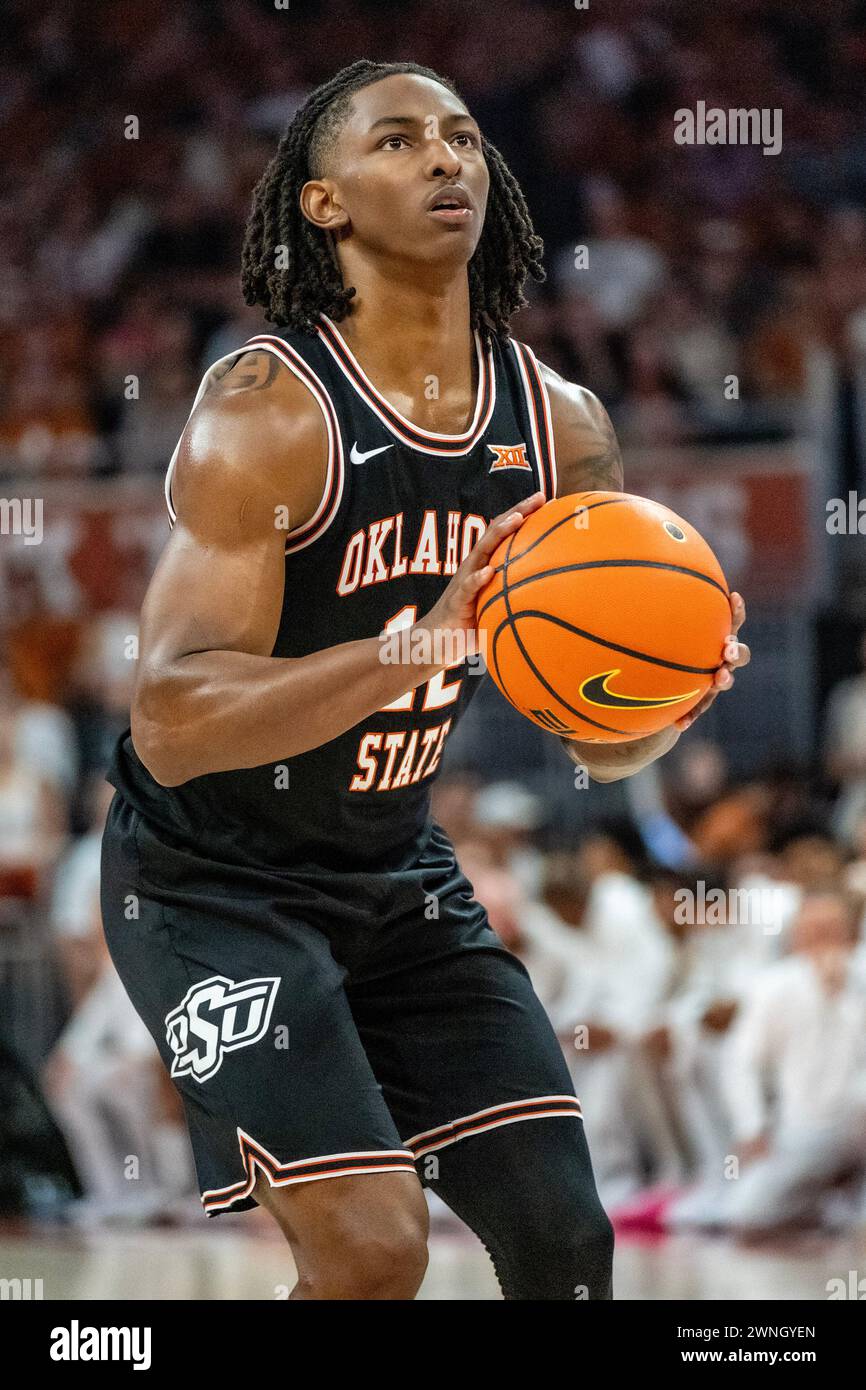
(218, 1017)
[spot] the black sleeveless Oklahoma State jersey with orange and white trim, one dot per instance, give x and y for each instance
(402, 508)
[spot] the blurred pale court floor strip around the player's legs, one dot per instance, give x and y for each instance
(238, 1259)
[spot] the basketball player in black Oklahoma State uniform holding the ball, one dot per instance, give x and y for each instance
(341, 1022)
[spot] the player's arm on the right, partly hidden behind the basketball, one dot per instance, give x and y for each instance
(589, 459)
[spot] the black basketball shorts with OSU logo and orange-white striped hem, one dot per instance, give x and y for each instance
(323, 1024)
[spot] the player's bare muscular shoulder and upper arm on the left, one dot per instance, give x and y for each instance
(251, 469)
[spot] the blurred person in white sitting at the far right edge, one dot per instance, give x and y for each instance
(796, 1086)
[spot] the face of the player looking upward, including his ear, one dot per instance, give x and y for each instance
(408, 179)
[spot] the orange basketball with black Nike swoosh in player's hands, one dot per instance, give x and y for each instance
(605, 619)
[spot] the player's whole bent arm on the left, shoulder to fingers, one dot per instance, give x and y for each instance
(209, 694)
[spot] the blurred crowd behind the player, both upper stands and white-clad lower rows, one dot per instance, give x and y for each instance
(719, 1052)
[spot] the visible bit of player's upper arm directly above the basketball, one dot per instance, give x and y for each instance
(587, 451)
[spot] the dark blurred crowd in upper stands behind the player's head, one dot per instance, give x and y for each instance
(134, 144)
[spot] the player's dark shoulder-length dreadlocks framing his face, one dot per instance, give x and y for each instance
(290, 266)
